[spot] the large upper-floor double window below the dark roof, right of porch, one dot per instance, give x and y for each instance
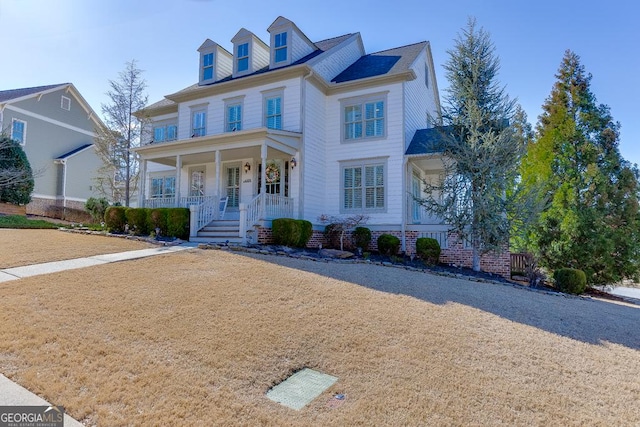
(364, 120)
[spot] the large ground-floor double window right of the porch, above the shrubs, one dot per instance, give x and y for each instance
(363, 187)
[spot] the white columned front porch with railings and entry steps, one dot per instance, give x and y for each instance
(220, 179)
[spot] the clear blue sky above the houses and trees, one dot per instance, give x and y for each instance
(88, 42)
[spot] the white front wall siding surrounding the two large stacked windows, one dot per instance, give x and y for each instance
(390, 147)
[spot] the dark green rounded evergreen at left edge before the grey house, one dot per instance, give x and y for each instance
(16, 176)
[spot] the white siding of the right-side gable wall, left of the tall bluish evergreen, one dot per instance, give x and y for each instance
(419, 100)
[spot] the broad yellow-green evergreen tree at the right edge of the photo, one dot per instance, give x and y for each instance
(591, 218)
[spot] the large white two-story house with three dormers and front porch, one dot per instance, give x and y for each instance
(296, 128)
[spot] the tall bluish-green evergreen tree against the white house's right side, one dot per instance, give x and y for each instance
(481, 150)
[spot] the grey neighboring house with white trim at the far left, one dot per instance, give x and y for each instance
(56, 128)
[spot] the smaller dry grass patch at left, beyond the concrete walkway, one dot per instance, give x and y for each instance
(23, 247)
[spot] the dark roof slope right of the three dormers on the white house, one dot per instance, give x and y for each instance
(391, 61)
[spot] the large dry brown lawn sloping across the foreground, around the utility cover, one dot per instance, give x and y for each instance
(198, 337)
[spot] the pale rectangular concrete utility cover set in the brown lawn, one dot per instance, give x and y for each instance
(301, 388)
